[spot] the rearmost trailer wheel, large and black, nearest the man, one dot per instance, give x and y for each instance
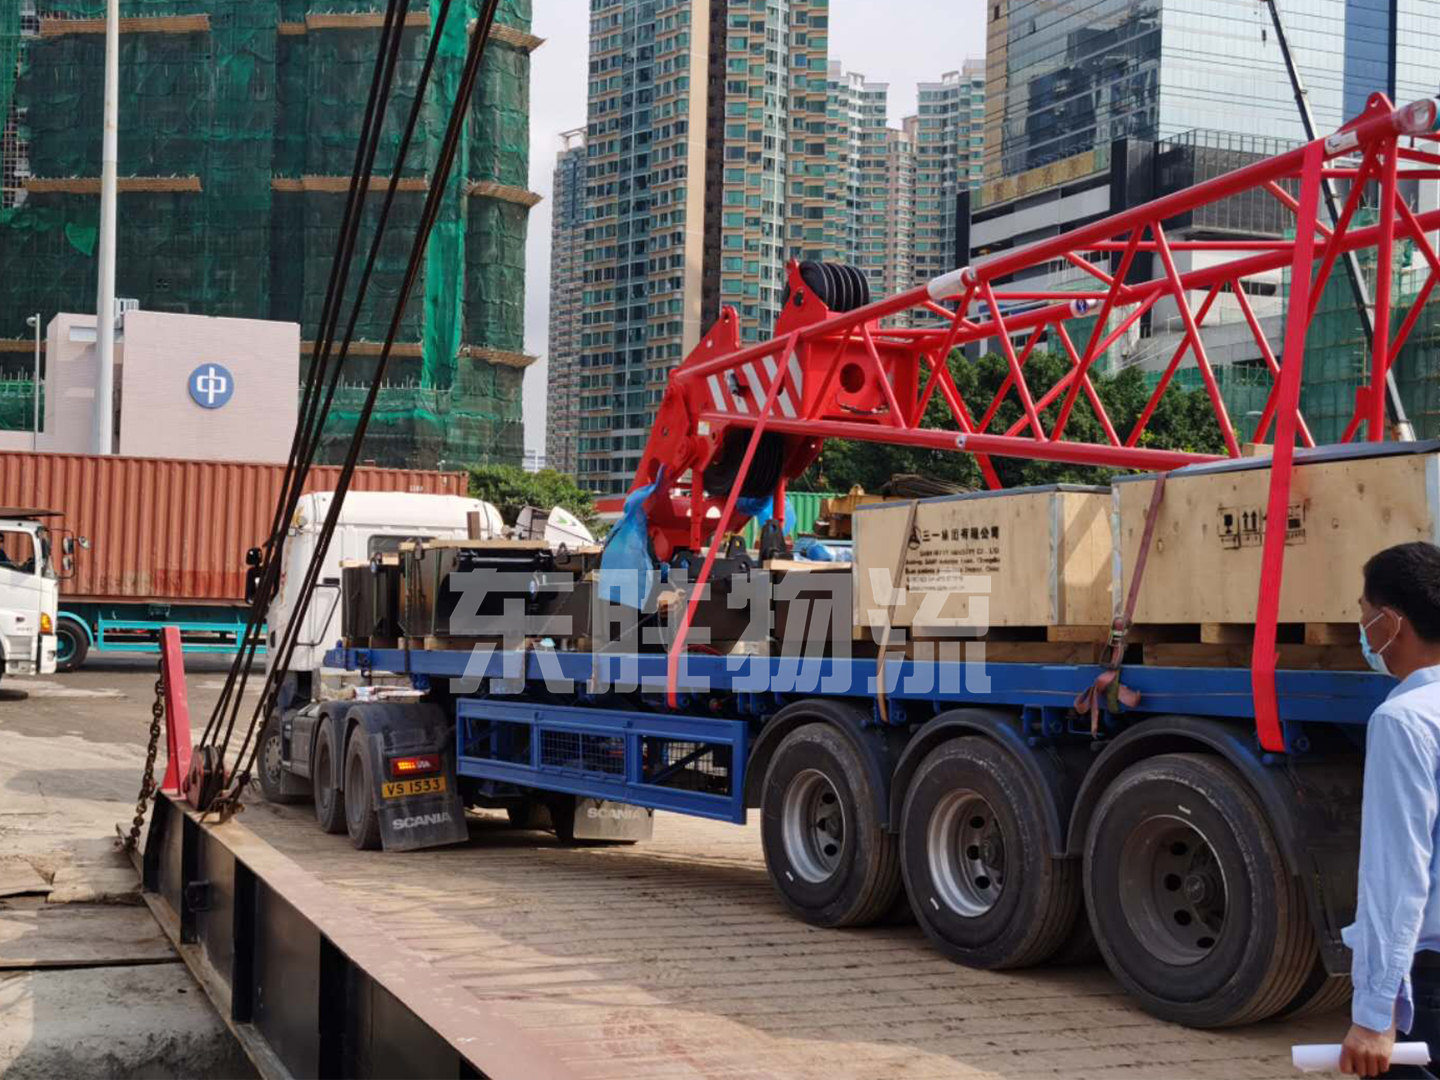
(1192, 902)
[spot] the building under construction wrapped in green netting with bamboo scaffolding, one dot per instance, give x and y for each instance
(238, 125)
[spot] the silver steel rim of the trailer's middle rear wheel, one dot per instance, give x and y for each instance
(967, 855)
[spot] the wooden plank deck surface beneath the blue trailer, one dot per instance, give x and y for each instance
(675, 960)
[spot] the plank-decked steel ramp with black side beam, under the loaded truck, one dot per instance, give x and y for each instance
(519, 958)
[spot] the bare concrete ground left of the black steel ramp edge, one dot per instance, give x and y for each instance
(89, 984)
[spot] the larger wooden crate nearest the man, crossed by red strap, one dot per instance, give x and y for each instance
(1205, 564)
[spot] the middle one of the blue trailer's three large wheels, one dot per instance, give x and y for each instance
(981, 879)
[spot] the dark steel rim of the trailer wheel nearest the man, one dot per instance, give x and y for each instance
(1173, 891)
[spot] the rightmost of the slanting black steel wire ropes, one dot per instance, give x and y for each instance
(436, 195)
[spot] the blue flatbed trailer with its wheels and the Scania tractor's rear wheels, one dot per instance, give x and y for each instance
(1170, 839)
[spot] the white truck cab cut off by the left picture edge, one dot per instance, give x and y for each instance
(30, 591)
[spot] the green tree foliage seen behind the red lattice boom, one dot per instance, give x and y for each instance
(1184, 420)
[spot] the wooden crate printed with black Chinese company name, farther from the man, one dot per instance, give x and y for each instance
(1045, 554)
